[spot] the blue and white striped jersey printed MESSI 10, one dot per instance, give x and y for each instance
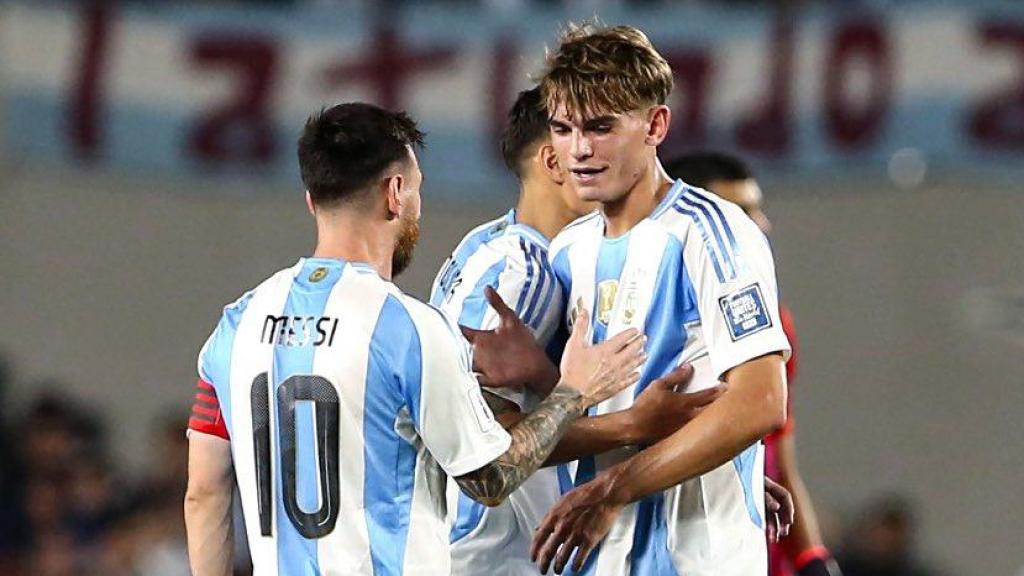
(346, 400)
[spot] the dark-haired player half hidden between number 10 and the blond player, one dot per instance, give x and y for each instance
(510, 254)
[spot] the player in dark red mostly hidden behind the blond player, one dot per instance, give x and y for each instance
(731, 179)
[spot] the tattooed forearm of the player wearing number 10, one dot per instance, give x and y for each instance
(533, 440)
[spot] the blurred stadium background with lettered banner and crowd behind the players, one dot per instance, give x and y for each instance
(148, 176)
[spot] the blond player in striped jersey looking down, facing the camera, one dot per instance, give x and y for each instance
(697, 275)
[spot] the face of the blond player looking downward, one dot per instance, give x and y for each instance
(605, 155)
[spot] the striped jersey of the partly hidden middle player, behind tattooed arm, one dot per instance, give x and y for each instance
(514, 259)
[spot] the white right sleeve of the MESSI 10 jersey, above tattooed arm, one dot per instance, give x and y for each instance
(450, 414)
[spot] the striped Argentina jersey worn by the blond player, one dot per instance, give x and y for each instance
(698, 278)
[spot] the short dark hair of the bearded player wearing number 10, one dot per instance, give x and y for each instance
(346, 147)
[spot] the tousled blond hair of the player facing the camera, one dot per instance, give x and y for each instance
(598, 70)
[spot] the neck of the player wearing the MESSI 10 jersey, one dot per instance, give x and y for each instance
(352, 236)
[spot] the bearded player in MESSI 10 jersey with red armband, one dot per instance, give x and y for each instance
(339, 403)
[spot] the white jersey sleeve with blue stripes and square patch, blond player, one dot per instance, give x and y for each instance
(734, 275)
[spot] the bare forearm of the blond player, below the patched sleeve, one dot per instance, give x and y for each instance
(752, 407)
